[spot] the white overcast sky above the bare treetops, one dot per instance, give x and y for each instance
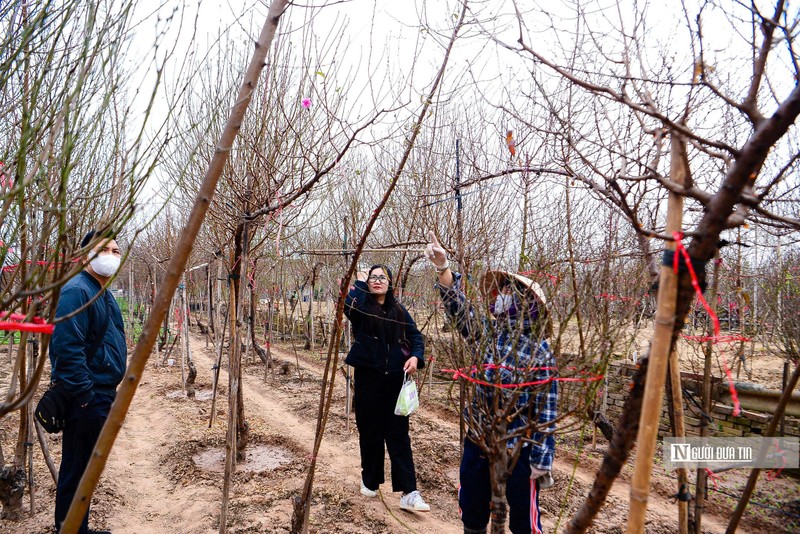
(403, 40)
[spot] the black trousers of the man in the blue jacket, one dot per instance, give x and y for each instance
(80, 435)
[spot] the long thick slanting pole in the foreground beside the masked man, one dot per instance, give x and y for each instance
(177, 264)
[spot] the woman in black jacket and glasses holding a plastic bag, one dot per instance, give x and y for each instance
(387, 345)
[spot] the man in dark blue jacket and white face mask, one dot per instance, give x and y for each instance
(88, 358)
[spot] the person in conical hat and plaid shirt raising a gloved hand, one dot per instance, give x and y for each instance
(514, 348)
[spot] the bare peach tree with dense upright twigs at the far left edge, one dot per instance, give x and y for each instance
(73, 156)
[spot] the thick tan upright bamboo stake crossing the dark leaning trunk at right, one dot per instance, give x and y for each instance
(659, 352)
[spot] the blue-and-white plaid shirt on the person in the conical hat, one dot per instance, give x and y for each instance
(510, 357)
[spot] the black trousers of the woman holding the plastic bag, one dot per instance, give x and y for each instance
(375, 397)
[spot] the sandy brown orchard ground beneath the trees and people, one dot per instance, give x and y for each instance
(164, 474)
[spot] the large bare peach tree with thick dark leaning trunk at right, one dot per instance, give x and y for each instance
(617, 90)
